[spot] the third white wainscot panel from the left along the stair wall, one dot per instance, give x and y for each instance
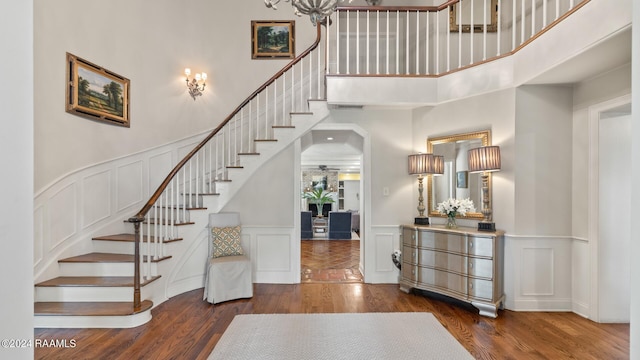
(96, 198)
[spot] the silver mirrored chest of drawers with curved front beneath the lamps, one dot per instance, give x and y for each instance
(462, 263)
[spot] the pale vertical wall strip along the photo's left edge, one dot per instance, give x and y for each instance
(16, 142)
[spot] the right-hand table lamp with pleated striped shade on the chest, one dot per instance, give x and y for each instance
(485, 159)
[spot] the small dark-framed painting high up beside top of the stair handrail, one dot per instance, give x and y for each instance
(272, 39)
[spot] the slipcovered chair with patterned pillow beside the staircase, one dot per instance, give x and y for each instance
(229, 270)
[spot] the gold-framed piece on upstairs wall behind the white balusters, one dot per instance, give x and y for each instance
(460, 16)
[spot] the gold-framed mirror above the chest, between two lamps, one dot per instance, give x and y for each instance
(456, 182)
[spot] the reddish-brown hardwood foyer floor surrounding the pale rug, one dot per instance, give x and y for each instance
(185, 327)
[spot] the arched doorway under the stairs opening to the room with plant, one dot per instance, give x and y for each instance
(332, 156)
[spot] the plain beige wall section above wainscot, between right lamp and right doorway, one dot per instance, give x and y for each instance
(543, 160)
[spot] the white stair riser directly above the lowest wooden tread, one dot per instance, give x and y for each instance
(87, 293)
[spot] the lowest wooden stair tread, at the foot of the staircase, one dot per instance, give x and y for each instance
(89, 308)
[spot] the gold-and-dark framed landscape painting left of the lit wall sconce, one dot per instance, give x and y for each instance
(96, 93)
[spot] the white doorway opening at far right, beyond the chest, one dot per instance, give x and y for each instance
(610, 222)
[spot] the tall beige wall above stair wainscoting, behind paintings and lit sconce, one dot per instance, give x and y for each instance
(151, 44)
